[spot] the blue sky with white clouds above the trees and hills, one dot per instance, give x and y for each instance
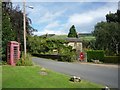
(58, 17)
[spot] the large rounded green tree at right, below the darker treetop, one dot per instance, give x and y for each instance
(107, 36)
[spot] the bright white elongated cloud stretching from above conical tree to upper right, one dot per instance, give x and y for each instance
(91, 16)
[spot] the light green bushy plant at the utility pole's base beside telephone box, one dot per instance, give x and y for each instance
(25, 61)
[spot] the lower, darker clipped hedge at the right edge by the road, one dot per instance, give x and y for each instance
(112, 59)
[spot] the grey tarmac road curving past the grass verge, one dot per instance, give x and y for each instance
(105, 75)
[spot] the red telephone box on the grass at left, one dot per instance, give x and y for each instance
(13, 52)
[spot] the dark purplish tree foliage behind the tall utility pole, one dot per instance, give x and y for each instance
(16, 16)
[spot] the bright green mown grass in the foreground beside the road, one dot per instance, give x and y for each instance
(30, 77)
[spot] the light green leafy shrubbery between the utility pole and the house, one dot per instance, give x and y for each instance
(39, 45)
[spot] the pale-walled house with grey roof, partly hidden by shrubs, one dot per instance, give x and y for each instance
(75, 43)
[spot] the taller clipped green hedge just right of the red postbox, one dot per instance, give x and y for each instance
(95, 55)
